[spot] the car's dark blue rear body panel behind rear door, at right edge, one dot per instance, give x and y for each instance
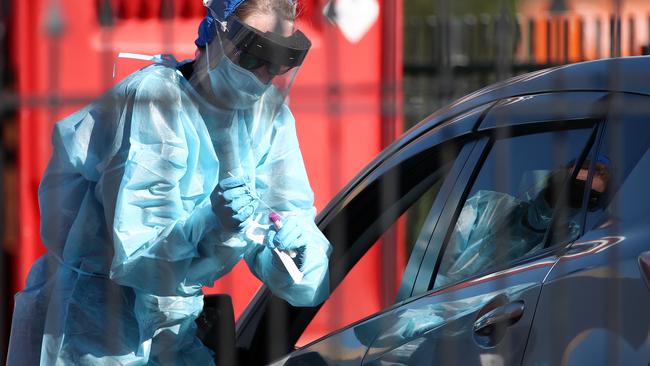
(594, 308)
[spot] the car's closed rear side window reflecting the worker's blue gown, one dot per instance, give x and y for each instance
(511, 203)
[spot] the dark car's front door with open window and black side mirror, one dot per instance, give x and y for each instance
(396, 202)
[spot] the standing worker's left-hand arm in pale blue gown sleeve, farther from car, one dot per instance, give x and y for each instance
(155, 234)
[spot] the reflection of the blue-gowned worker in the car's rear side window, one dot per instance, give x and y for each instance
(494, 227)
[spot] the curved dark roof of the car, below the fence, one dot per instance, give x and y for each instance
(626, 74)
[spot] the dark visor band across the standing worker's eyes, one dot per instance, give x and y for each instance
(256, 49)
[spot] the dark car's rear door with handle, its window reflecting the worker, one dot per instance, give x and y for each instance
(489, 253)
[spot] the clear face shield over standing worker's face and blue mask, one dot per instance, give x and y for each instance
(254, 61)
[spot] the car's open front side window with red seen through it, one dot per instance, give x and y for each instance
(417, 186)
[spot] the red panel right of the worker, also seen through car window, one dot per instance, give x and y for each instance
(367, 115)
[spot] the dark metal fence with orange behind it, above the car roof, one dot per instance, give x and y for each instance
(448, 57)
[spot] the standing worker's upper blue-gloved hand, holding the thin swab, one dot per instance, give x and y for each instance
(233, 202)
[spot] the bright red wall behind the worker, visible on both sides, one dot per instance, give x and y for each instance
(336, 98)
